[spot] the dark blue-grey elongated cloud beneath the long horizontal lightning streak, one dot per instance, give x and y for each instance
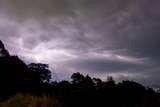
(108, 64)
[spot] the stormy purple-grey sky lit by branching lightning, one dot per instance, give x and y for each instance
(118, 38)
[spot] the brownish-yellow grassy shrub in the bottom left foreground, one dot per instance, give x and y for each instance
(27, 100)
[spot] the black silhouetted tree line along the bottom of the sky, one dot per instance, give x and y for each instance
(81, 91)
